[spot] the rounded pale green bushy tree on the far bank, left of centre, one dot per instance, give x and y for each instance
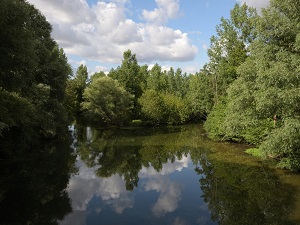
(106, 102)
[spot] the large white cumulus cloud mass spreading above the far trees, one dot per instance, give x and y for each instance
(102, 32)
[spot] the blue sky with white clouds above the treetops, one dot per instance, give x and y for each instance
(172, 33)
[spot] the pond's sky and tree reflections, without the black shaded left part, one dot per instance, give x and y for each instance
(172, 177)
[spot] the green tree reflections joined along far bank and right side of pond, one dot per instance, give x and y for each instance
(237, 188)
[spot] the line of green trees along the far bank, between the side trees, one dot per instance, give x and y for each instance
(133, 93)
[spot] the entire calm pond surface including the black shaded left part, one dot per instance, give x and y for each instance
(170, 176)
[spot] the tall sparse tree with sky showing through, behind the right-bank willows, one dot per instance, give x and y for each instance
(229, 48)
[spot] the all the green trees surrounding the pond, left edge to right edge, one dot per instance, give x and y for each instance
(249, 91)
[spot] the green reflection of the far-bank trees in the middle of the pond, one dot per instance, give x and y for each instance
(125, 152)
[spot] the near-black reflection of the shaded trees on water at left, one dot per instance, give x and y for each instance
(34, 181)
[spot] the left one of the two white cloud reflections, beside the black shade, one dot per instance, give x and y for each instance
(86, 185)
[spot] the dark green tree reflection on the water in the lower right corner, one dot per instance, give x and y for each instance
(241, 194)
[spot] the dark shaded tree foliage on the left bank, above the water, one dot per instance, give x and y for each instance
(33, 73)
